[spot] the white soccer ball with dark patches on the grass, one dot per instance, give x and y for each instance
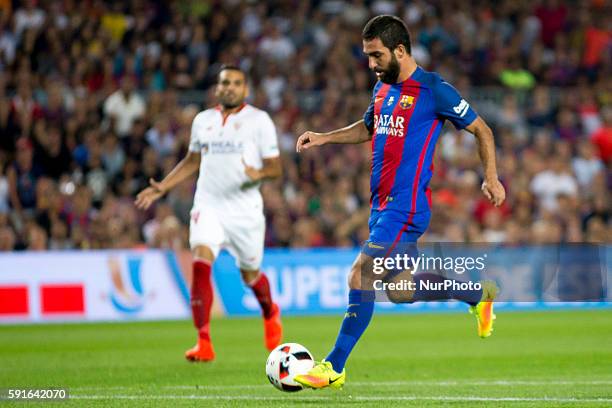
(285, 362)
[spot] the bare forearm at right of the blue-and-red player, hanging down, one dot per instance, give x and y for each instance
(491, 187)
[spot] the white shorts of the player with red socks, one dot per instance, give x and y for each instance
(241, 234)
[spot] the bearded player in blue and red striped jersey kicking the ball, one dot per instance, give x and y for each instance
(403, 121)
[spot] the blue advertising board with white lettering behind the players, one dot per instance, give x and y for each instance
(314, 281)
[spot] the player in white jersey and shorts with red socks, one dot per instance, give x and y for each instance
(234, 147)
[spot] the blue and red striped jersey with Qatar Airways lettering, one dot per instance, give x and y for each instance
(405, 120)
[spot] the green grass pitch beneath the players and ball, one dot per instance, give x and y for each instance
(533, 359)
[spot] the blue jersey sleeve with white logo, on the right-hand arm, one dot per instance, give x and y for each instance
(450, 105)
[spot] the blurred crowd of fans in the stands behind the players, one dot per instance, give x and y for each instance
(96, 97)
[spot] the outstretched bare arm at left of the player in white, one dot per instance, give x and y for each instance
(185, 168)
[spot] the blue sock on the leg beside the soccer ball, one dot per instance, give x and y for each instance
(356, 320)
